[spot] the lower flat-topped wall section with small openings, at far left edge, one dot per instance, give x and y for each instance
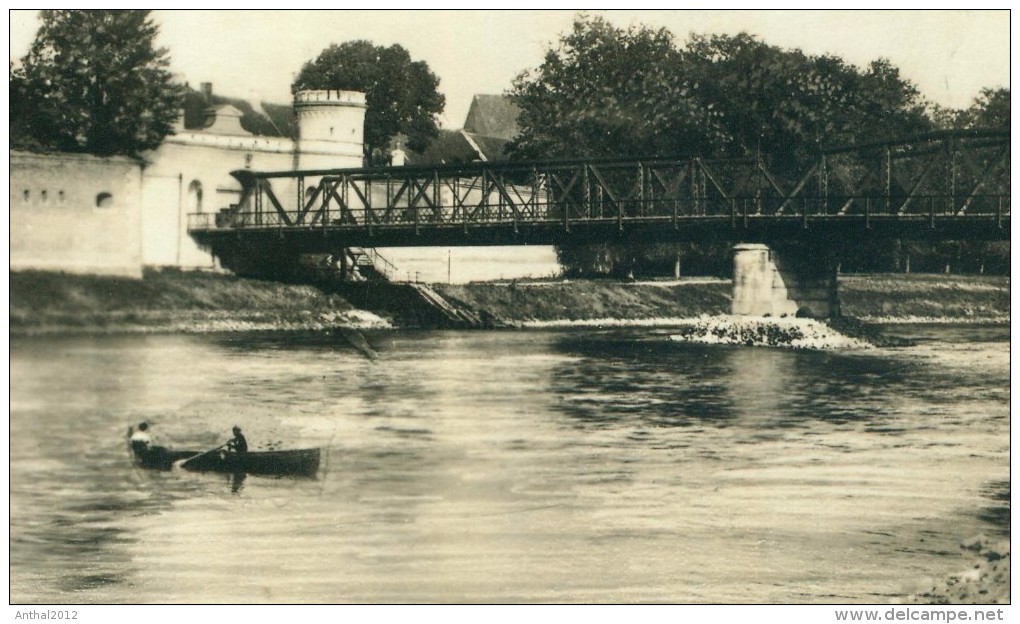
(76, 214)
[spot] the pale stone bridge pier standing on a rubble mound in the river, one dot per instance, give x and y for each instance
(794, 283)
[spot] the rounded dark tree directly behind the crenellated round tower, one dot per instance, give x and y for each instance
(402, 95)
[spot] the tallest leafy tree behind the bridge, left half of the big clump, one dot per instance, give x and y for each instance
(609, 92)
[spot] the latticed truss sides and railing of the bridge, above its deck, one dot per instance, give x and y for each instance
(958, 175)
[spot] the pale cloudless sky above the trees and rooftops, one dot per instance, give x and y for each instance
(256, 55)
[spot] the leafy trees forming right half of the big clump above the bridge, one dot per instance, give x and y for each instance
(785, 105)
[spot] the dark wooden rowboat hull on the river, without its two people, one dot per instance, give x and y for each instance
(301, 462)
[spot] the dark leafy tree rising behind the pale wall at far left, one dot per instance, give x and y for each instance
(94, 82)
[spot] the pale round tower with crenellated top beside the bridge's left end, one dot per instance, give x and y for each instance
(331, 129)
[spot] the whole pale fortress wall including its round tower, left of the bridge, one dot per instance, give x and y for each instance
(114, 216)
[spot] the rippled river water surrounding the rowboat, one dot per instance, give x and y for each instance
(546, 466)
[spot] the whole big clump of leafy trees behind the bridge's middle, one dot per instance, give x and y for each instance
(608, 92)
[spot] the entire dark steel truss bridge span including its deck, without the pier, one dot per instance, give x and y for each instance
(943, 186)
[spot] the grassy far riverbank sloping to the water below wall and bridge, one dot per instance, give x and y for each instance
(172, 301)
